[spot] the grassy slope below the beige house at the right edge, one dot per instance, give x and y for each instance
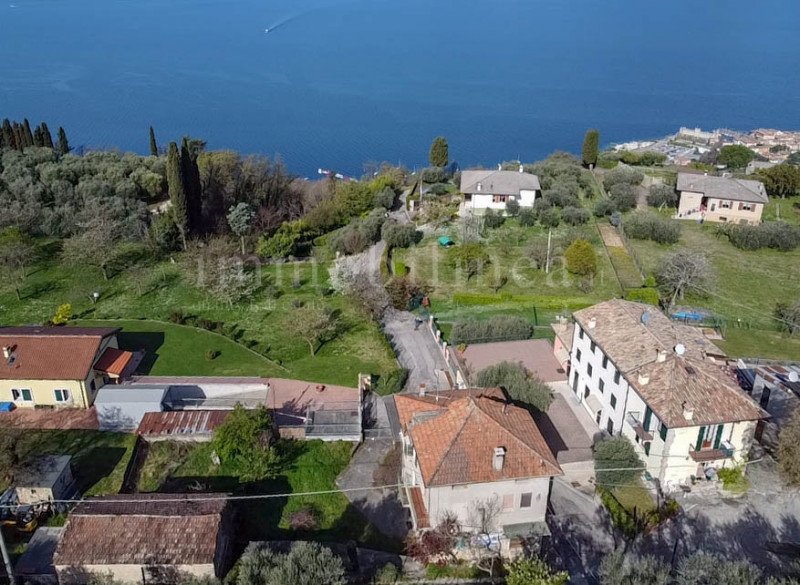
(746, 286)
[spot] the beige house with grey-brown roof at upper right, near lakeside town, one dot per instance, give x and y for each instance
(720, 199)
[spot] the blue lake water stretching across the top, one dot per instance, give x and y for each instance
(337, 82)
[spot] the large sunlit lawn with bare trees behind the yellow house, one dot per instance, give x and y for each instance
(156, 290)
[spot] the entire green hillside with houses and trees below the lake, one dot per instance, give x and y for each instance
(578, 370)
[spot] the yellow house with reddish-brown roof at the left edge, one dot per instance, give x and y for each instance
(49, 367)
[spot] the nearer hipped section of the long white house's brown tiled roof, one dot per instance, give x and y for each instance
(710, 394)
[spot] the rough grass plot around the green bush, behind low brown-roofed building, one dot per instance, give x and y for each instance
(309, 466)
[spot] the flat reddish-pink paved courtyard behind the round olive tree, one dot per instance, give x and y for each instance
(535, 355)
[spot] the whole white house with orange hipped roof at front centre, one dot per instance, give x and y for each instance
(467, 451)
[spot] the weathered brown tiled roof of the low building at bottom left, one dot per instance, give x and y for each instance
(106, 531)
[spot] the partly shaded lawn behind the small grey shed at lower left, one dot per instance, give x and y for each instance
(99, 458)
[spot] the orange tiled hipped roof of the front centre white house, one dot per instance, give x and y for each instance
(455, 440)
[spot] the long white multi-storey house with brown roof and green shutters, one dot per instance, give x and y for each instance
(664, 386)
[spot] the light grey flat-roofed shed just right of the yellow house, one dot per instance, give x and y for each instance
(122, 407)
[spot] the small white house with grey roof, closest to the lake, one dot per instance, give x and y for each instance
(484, 190)
